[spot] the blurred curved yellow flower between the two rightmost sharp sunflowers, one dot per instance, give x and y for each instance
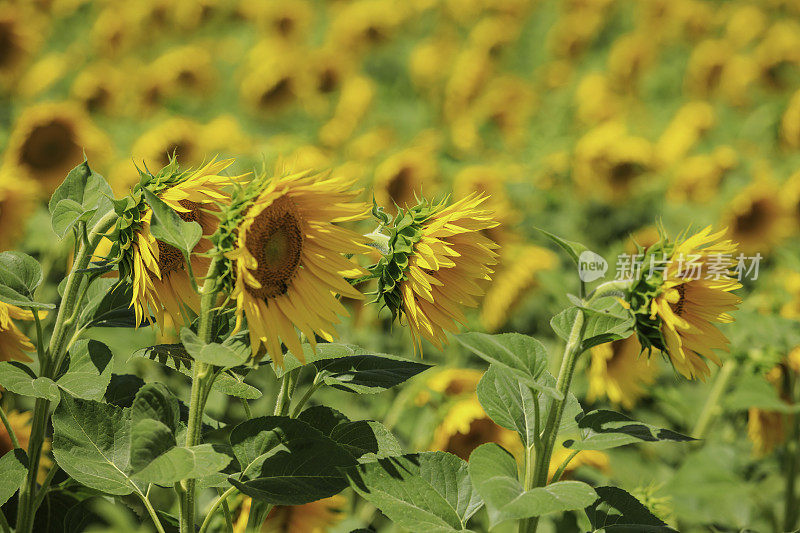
(518, 273)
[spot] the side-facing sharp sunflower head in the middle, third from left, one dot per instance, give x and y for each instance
(436, 259)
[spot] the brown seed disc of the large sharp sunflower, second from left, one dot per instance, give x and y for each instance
(276, 241)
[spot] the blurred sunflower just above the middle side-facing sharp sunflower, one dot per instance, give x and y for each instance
(400, 179)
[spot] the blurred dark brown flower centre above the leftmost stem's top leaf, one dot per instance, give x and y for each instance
(49, 146)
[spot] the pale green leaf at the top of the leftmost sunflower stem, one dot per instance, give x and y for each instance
(83, 195)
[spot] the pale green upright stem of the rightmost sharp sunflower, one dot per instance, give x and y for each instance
(571, 353)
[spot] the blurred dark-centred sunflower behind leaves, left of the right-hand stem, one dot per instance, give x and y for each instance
(466, 426)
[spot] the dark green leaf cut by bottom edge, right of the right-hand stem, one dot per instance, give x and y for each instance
(617, 511)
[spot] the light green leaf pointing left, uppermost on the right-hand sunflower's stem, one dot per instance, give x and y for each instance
(523, 356)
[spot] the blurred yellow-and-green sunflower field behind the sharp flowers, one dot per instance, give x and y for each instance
(593, 119)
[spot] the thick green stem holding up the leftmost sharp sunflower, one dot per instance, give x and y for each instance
(51, 360)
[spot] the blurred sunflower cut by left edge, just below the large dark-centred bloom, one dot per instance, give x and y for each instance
(17, 203)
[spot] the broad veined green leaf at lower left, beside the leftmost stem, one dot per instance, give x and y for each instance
(91, 443)
